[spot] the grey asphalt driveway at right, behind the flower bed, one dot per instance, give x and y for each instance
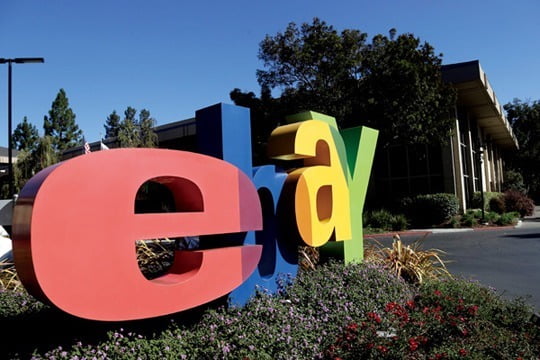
(506, 258)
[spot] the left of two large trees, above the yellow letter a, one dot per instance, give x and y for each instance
(315, 67)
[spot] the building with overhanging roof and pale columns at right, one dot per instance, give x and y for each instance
(472, 161)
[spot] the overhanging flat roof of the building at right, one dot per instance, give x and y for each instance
(477, 96)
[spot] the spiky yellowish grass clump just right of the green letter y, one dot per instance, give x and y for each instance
(408, 261)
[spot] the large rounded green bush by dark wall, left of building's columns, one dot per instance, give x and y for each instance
(431, 209)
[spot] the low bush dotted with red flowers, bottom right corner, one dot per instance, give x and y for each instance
(447, 320)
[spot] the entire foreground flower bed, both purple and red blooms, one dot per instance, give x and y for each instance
(355, 311)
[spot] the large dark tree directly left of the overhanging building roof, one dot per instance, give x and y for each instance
(402, 92)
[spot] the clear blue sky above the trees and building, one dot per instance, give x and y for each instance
(173, 57)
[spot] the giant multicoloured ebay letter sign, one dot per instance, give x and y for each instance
(75, 225)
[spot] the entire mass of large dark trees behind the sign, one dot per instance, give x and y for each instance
(393, 84)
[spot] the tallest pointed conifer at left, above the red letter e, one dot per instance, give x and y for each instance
(60, 125)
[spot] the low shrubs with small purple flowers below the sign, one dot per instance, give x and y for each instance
(298, 323)
